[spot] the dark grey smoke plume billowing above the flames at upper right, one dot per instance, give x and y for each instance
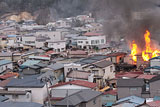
(120, 19)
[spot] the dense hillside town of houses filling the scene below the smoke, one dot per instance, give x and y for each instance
(72, 63)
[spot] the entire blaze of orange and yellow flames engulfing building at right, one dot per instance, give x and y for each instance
(149, 50)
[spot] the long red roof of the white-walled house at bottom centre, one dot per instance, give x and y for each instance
(77, 82)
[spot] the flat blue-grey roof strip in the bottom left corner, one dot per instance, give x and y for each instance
(20, 104)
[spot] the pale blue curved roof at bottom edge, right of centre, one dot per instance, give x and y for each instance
(136, 101)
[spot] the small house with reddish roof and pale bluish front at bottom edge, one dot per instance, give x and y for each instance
(109, 98)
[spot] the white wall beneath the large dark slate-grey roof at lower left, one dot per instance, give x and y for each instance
(38, 94)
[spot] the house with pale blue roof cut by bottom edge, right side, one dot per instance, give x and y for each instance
(131, 101)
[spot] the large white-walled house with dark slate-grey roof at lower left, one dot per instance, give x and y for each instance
(36, 87)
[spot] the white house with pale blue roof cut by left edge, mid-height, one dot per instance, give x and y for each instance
(4, 65)
